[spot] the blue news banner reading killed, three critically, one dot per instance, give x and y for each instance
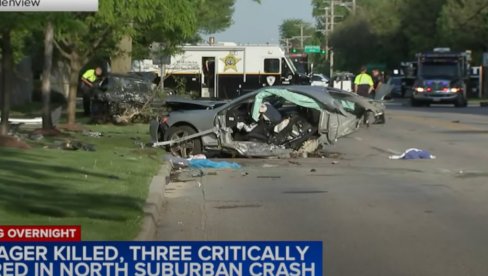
(161, 258)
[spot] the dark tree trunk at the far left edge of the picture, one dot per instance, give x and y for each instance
(7, 67)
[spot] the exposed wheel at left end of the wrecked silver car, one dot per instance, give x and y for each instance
(185, 148)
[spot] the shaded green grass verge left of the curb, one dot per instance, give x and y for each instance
(103, 191)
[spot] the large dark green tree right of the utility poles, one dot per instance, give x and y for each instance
(382, 31)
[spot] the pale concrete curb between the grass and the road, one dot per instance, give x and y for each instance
(154, 204)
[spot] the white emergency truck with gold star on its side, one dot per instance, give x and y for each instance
(228, 70)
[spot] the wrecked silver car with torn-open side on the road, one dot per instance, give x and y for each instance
(272, 121)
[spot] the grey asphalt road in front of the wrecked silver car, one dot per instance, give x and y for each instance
(376, 216)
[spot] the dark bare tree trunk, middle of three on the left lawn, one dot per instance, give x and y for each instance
(46, 76)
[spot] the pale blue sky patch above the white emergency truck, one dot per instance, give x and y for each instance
(259, 23)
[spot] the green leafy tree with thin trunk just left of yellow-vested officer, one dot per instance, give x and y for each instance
(85, 36)
